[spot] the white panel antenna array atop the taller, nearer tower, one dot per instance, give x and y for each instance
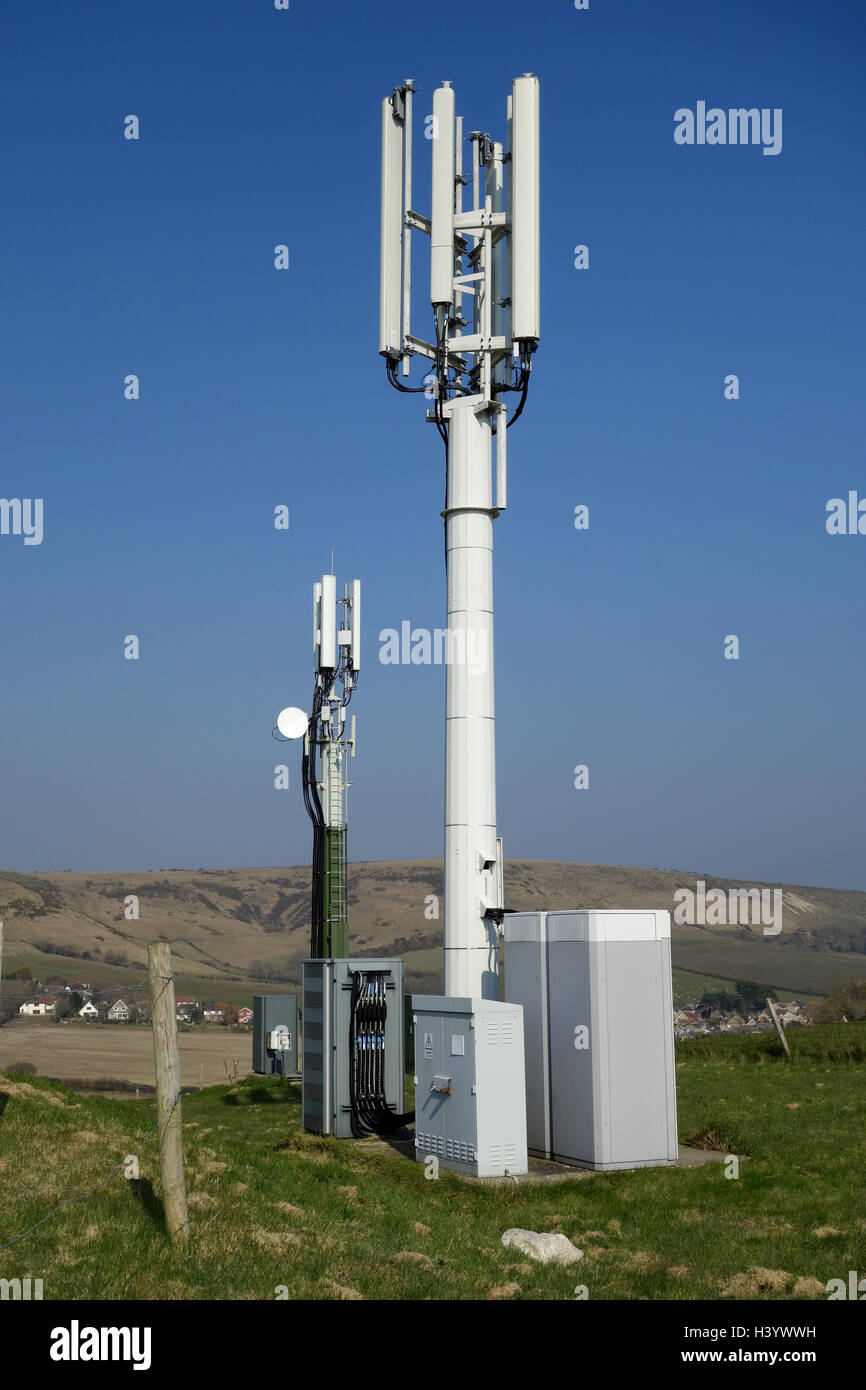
(484, 259)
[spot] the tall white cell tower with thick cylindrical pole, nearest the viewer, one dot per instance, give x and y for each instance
(484, 293)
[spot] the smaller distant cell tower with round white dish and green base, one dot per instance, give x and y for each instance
(337, 660)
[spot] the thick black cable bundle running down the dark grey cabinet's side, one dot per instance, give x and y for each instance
(369, 1017)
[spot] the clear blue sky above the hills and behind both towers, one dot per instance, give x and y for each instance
(261, 127)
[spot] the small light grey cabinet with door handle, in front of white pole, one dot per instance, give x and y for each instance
(471, 1096)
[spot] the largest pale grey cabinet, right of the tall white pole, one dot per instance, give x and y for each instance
(600, 1047)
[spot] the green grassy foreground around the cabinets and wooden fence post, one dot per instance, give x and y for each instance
(273, 1207)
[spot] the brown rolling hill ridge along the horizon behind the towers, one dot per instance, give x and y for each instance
(237, 929)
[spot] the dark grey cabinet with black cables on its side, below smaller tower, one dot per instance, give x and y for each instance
(332, 1064)
